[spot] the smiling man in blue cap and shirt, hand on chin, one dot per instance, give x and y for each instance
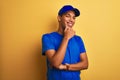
(65, 51)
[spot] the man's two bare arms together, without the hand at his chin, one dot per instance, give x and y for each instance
(56, 58)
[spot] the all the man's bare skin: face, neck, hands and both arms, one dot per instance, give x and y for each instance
(66, 23)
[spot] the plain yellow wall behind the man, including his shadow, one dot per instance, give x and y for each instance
(22, 23)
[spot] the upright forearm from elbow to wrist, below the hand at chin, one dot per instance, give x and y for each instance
(60, 53)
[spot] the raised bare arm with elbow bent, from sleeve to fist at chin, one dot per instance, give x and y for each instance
(56, 57)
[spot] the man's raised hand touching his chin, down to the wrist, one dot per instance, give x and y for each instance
(69, 33)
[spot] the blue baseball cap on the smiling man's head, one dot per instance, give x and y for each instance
(66, 8)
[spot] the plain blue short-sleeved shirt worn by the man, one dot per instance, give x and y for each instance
(74, 49)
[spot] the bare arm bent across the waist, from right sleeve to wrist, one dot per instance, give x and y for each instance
(83, 64)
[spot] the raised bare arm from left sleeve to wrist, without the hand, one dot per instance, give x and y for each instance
(56, 57)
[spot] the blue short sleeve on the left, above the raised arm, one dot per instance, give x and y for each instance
(47, 43)
